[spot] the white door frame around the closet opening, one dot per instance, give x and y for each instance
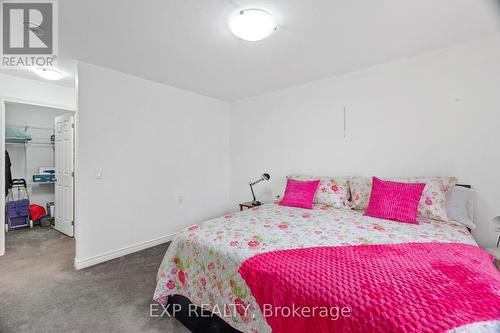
(3, 101)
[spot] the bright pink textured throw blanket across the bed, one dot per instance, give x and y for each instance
(414, 287)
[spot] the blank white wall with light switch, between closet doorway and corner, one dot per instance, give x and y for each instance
(153, 143)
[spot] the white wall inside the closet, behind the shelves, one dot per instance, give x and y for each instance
(38, 155)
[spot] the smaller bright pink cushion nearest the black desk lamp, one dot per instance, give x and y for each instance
(299, 193)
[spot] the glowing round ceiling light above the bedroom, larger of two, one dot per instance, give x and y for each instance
(252, 24)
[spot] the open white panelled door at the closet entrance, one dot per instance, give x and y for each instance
(64, 157)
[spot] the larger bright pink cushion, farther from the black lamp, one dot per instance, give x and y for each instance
(394, 201)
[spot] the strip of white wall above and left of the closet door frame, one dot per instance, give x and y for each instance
(12, 87)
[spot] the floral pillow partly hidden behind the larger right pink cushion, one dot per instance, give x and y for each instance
(432, 205)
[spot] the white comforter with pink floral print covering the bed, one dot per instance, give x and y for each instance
(203, 260)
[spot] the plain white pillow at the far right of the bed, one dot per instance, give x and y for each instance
(460, 206)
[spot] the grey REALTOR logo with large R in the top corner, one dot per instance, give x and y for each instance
(29, 33)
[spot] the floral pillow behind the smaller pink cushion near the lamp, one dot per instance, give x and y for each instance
(333, 192)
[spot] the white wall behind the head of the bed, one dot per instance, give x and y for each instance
(434, 114)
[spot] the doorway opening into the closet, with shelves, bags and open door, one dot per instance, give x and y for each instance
(39, 179)
